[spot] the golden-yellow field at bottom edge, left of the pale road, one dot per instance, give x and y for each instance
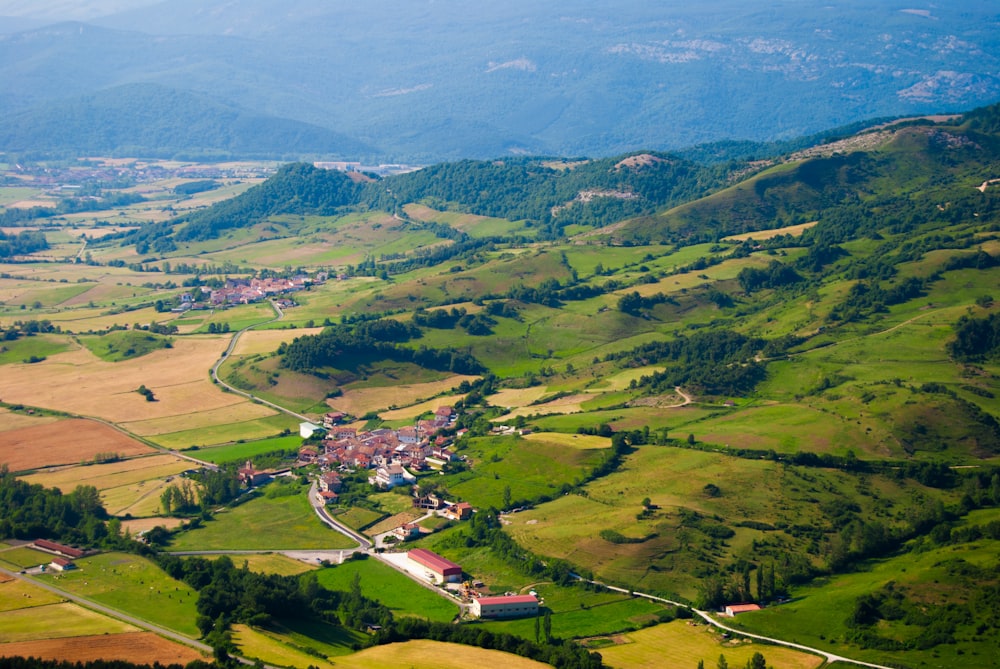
(684, 644)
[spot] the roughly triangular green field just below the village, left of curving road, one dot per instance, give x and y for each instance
(282, 523)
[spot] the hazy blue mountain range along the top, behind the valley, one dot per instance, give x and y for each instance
(432, 80)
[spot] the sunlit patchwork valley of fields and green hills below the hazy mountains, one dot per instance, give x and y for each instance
(770, 382)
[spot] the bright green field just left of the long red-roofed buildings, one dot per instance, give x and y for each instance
(397, 591)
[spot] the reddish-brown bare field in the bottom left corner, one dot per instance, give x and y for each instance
(136, 647)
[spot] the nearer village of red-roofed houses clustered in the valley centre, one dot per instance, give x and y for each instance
(390, 454)
